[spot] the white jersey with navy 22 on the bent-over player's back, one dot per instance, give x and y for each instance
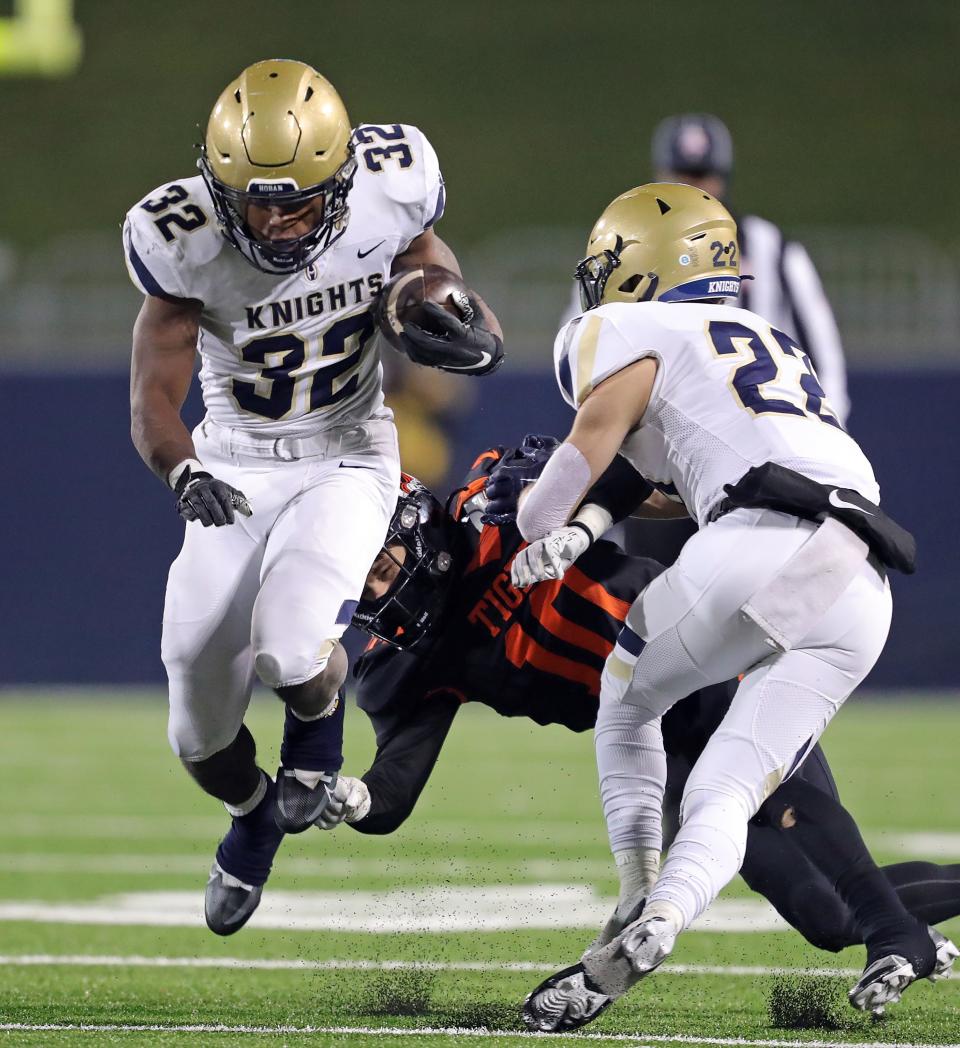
(731, 394)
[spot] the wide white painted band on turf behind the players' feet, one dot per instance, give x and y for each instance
(470, 908)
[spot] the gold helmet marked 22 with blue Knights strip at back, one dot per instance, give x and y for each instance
(664, 243)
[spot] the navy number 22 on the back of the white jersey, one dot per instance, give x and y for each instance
(773, 375)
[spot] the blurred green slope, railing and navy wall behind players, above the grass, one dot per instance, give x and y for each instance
(541, 113)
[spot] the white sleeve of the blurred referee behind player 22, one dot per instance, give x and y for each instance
(817, 330)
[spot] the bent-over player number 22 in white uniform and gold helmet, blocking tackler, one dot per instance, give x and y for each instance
(784, 583)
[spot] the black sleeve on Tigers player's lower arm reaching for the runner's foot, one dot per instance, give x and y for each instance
(405, 761)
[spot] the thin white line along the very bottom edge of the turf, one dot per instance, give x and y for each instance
(640, 1040)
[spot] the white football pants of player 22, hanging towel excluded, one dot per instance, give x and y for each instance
(695, 635)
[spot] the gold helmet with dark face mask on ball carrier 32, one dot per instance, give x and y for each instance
(279, 136)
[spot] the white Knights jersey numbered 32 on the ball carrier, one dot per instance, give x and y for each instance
(291, 355)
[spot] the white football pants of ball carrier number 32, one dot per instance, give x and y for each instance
(272, 594)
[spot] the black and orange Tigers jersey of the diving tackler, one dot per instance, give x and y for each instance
(535, 653)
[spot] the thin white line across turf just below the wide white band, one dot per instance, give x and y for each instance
(301, 965)
